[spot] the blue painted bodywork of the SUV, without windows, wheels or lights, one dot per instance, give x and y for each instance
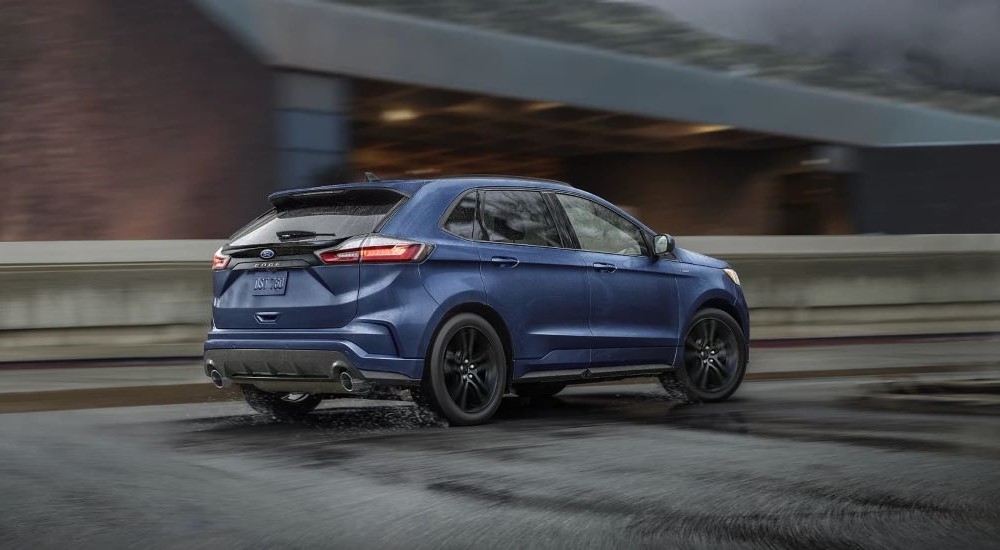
(559, 310)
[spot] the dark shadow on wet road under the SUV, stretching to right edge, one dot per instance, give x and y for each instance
(342, 427)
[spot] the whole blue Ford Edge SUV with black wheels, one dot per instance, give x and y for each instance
(464, 289)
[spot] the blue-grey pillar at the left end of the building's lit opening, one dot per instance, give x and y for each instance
(313, 125)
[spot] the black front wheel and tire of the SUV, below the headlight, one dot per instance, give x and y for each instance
(714, 360)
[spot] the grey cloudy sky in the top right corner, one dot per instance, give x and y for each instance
(951, 42)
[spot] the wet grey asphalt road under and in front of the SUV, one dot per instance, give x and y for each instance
(785, 465)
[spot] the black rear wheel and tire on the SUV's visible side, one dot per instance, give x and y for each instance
(466, 371)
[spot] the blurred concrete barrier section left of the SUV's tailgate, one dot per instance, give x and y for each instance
(104, 299)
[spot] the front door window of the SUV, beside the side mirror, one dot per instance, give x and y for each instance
(602, 230)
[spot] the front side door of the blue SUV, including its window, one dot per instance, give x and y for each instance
(633, 294)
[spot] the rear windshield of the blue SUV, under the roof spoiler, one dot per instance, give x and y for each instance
(330, 215)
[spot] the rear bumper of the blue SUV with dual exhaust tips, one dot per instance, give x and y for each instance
(312, 367)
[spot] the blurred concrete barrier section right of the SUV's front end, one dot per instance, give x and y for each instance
(819, 287)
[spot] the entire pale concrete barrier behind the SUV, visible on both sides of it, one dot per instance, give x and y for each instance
(112, 299)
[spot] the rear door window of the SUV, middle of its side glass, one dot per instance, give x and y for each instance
(519, 217)
